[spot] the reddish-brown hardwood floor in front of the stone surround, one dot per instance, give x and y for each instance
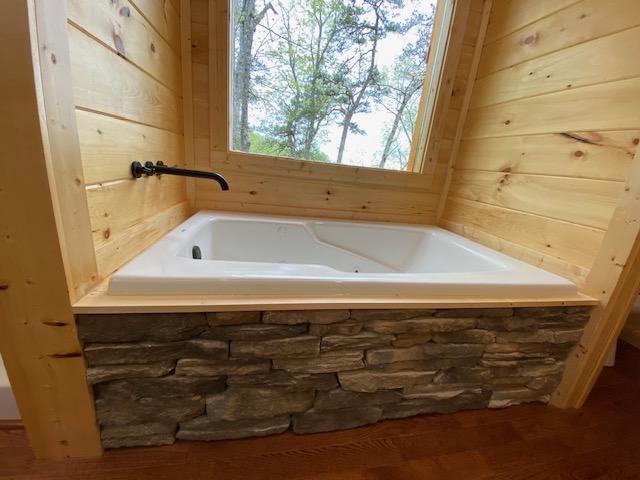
(601, 440)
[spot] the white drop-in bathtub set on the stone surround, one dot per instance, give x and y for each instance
(263, 255)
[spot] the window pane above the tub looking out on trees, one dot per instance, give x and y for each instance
(336, 81)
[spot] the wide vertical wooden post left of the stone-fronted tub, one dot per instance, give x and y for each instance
(38, 340)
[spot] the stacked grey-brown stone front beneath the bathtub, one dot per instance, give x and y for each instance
(213, 376)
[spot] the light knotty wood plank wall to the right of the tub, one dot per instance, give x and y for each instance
(551, 132)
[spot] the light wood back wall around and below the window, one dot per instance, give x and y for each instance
(272, 185)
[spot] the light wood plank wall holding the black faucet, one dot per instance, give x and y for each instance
(127, 86)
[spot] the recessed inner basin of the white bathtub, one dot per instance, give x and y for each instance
(345, 247)
